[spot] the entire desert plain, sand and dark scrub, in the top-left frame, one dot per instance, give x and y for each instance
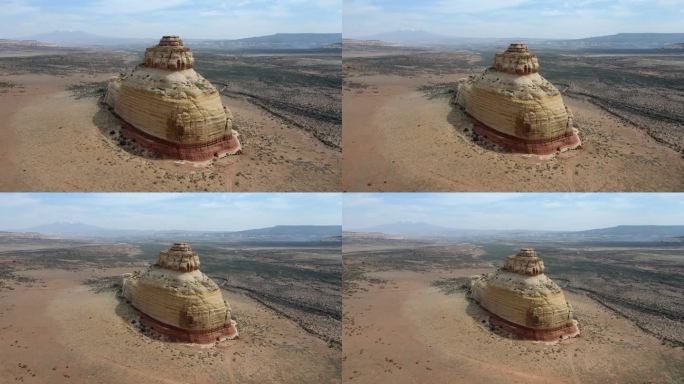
(56, 136)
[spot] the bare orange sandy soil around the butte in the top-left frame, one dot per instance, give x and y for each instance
(51, 141)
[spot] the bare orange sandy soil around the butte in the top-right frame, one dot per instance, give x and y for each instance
(397, 139)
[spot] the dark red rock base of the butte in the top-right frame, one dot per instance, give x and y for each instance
(537, 147)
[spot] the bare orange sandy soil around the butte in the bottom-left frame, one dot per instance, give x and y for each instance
(58, 330)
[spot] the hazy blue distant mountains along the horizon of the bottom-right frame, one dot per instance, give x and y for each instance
(621, 233)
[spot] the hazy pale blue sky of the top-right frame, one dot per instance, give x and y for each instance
(513, 18)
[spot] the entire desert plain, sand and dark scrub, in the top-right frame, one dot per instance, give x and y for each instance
(402, 133)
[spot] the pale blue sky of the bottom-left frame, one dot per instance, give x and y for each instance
(184, 211)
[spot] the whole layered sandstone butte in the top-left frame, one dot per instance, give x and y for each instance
(169, 109)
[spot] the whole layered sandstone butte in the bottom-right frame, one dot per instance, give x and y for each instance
(523, 301)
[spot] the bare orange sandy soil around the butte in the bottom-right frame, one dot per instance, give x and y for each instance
(407, 331)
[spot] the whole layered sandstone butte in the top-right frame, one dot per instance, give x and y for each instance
(515, 107)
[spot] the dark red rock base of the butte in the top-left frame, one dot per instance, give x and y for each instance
(227, 145)
